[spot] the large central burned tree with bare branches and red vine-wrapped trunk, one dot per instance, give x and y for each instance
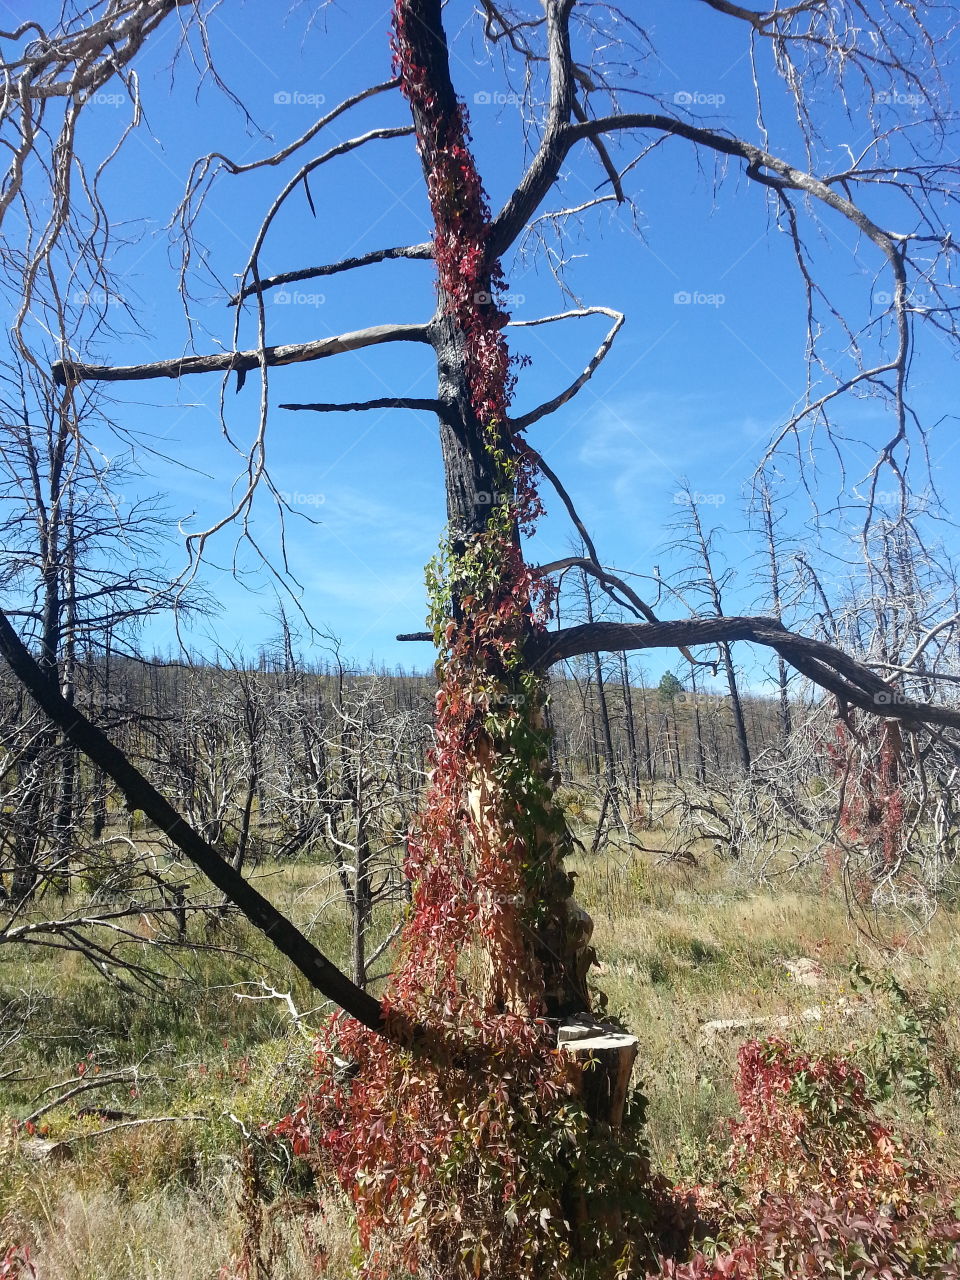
(491, 819)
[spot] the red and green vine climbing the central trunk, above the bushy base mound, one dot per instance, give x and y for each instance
(474, 857)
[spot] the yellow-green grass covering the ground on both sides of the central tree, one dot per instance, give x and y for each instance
(680, 947)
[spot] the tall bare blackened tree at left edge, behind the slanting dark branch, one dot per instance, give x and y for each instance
(67, 534)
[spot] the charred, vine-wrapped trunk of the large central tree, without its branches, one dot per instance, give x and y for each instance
(484, 618)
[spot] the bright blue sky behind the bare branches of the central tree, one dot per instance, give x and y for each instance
(693, 390)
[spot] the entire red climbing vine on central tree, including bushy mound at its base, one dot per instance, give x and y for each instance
(474, 1159)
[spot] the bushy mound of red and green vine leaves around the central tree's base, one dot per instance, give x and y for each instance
(478, 1173)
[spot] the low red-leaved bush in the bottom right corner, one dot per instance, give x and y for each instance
(816, 1186)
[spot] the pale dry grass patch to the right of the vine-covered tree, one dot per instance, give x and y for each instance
(684, 947)
